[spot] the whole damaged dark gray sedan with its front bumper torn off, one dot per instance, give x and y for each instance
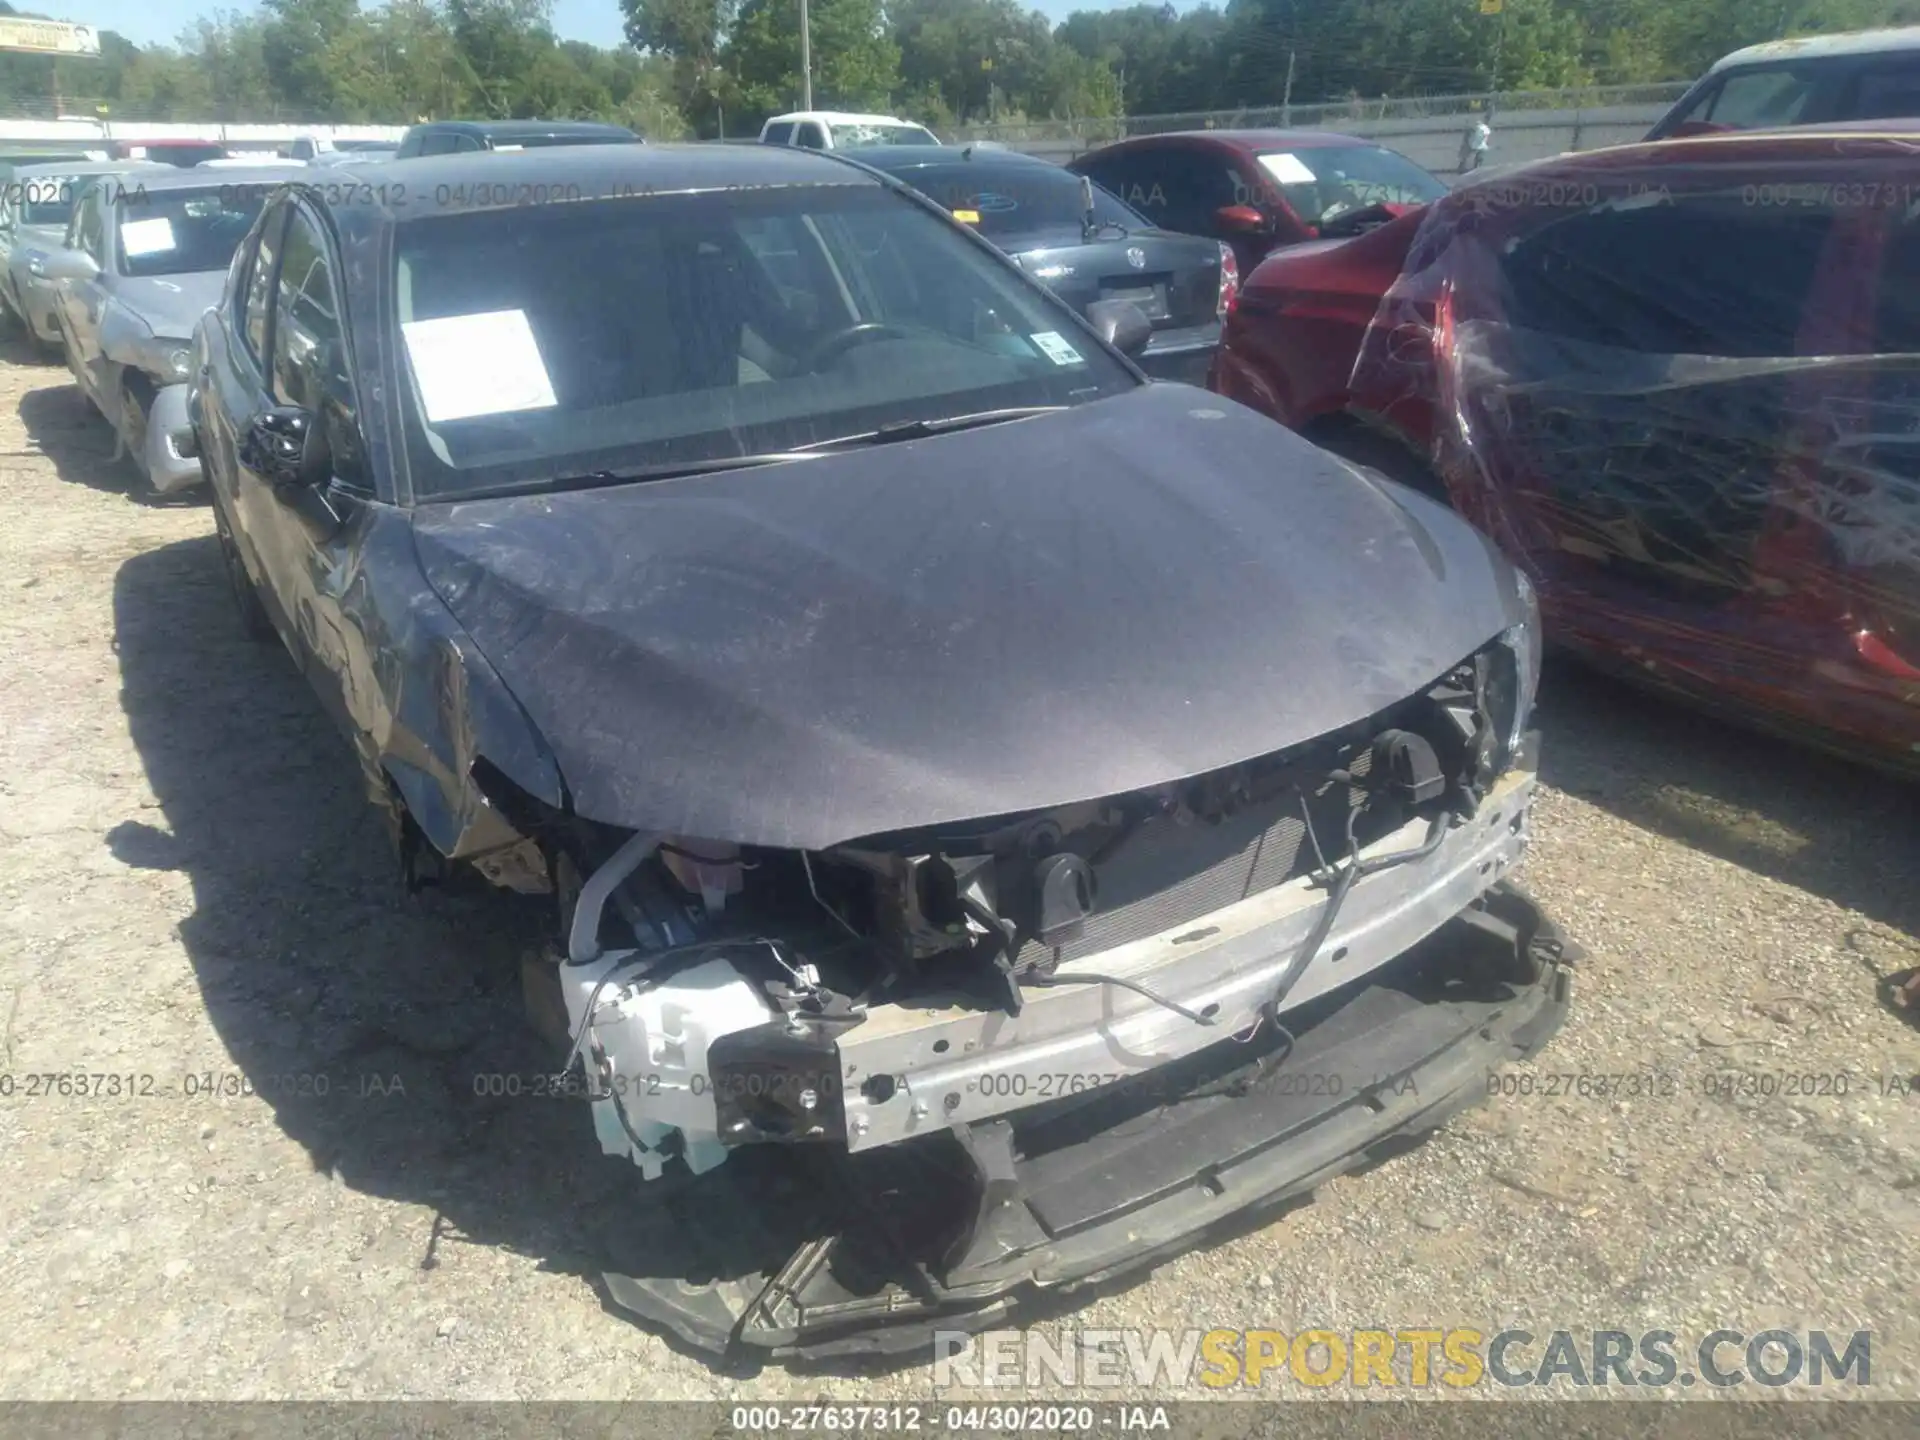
(1005, 817)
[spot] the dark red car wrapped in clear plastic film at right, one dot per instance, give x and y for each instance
(1675, 381)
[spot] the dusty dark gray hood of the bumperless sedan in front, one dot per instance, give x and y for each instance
(984, 623)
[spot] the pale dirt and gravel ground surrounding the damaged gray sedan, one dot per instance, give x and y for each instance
(191, 890)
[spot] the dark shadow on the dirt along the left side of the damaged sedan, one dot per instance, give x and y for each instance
(320, 972)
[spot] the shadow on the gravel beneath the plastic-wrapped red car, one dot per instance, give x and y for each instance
(1821, 825)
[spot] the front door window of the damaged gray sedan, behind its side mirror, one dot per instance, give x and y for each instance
(310, 354)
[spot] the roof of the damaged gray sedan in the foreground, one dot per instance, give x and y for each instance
(435, 185)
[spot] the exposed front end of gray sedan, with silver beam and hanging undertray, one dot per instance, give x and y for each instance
(923, 1076)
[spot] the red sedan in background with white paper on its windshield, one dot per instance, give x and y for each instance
(1260, 189)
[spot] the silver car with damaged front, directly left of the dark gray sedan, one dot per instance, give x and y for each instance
(145, 256)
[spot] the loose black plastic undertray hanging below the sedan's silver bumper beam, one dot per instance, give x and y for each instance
(815, 1255)
